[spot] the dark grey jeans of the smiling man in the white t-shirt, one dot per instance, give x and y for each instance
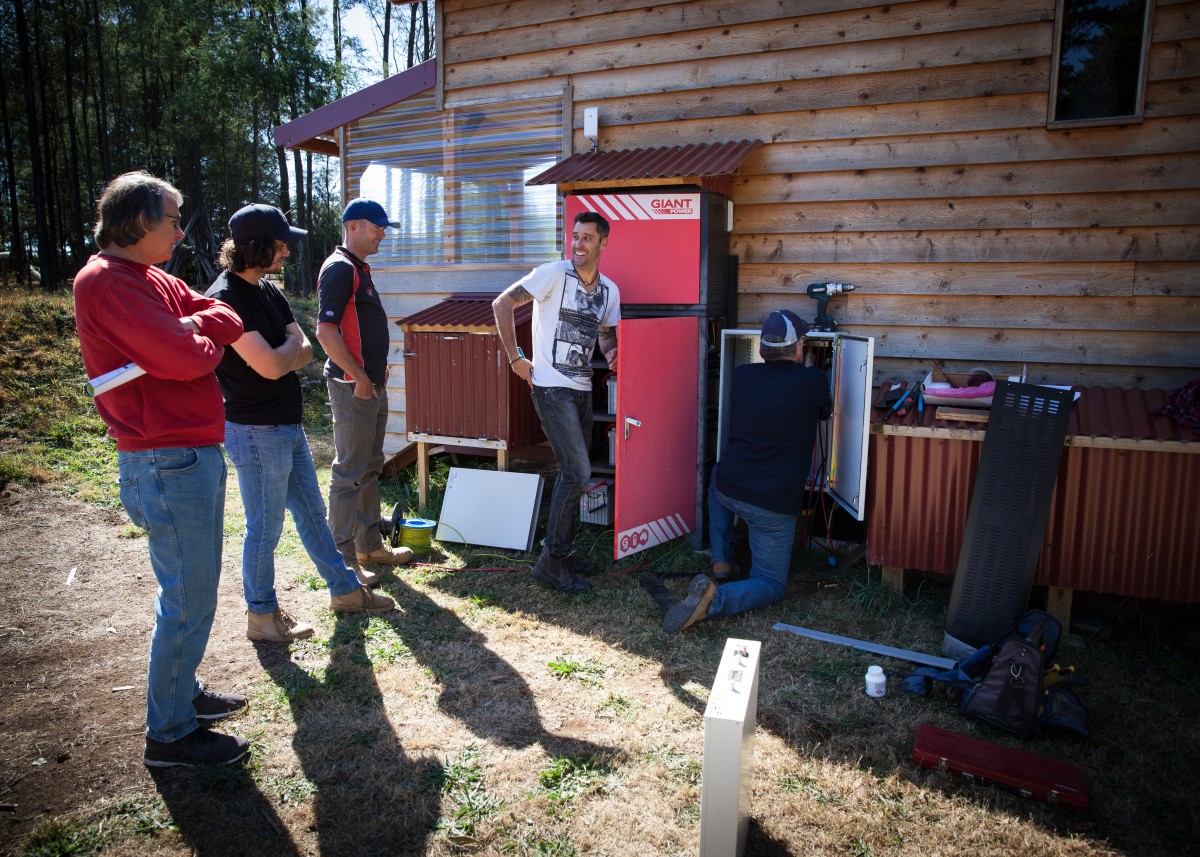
(567, 419)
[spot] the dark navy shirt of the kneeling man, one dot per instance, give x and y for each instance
(773, 425)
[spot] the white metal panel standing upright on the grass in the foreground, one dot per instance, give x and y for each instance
(729, 752)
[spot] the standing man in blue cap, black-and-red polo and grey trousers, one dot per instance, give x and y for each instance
(352, 327)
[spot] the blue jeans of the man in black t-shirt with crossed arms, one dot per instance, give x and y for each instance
(275, 474)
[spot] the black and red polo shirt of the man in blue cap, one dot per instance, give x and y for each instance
(357, 311)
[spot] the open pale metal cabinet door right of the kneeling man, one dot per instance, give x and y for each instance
(848, 432)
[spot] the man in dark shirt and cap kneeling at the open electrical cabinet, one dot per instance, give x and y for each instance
(776, 407)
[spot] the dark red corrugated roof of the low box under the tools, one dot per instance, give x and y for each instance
(1101, 413)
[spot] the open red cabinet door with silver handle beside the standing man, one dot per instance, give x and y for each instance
(658, 394)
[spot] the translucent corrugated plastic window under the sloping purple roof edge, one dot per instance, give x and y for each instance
(455, 181)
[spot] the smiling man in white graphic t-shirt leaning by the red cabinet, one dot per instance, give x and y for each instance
(574, 308)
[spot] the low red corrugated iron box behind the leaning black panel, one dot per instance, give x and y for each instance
(1124, 518)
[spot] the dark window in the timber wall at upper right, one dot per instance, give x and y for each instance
(1100, 61)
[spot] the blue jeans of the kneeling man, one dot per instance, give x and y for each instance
(771, 553)
